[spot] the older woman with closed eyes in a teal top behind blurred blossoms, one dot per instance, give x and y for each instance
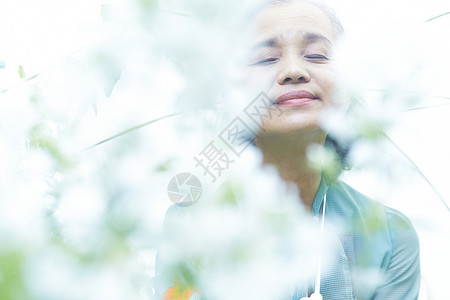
(292, 60)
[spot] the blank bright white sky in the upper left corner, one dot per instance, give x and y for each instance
(37, 34)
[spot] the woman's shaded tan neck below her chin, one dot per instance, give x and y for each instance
(288, 153)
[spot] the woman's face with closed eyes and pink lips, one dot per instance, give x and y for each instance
(291, 62)
